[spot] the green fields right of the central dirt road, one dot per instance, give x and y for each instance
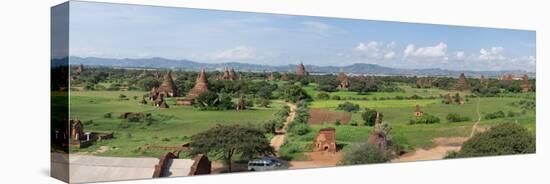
(398, 113)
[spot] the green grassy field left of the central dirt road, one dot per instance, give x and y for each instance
(171, 127)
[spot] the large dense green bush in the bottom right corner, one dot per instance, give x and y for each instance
(502, 139)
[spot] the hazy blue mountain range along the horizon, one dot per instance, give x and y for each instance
(358, 68)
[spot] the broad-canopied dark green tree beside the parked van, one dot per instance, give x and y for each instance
(225, 141)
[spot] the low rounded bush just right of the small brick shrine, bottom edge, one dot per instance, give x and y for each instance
(364, 153)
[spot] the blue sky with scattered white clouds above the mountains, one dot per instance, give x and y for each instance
(211, 36)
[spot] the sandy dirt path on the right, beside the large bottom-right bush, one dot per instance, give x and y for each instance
(443, 145)
